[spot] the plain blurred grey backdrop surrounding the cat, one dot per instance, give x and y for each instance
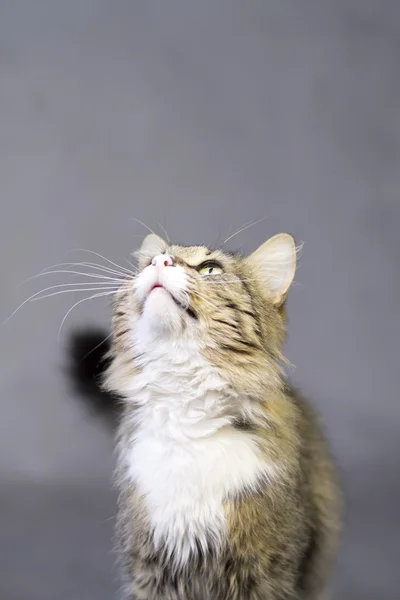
(203, 116)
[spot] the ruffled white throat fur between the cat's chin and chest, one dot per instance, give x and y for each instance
(179, 394)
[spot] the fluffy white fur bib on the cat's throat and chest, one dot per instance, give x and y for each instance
(185, 457)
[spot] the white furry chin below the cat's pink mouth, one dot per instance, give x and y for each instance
(161, 313)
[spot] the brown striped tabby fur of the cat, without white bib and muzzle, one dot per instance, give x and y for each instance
(282, 537)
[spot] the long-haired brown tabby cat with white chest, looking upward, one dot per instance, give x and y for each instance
(227, 490)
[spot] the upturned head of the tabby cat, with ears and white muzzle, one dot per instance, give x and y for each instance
(230, 306)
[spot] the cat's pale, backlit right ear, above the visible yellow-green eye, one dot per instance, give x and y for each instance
(275, 262)
